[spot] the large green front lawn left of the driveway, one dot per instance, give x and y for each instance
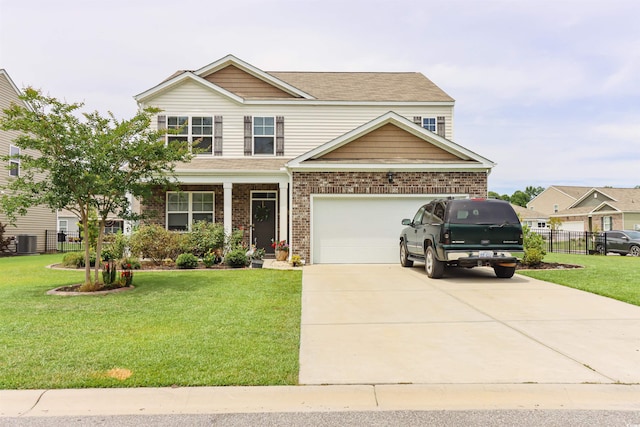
(190, 328)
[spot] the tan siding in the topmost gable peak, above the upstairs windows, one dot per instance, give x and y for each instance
(245, 85)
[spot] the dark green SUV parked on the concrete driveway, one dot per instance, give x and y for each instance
(462, 233)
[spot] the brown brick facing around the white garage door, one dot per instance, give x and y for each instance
(375, 183)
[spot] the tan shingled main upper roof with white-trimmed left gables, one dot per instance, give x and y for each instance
(315, 86)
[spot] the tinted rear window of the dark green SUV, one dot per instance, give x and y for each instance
(481, 212)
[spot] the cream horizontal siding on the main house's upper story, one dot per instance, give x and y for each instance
(307, 125)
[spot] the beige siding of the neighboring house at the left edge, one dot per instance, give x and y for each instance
(39, 218)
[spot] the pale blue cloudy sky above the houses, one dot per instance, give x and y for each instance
(549, 90)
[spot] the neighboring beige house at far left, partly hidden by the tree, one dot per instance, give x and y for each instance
(39, 218)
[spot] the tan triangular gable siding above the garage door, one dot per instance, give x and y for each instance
(389, 142)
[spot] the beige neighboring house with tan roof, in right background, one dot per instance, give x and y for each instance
(602, 209)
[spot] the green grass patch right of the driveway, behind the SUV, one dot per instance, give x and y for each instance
(612, 276)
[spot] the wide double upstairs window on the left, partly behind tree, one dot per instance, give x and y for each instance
(196, 130)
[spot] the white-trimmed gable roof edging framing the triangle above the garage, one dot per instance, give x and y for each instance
(462, 157)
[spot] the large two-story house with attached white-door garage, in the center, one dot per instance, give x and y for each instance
(331, 162)
